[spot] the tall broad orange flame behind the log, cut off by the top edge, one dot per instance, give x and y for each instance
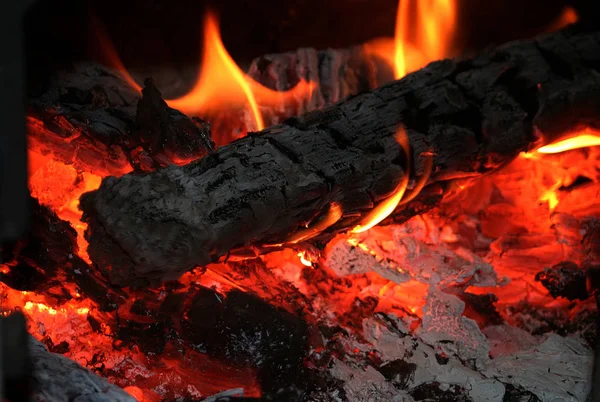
(434, 22)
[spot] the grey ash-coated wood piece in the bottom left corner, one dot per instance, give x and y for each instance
(57, 379)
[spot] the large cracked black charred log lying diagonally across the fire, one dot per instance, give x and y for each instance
(473, 116)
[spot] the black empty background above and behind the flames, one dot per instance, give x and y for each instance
(168, 32)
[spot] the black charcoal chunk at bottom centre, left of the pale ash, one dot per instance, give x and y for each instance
(246, 330)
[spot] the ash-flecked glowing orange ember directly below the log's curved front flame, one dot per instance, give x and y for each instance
(410, 251)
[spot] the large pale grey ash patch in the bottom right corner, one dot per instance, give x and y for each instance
(553, 368)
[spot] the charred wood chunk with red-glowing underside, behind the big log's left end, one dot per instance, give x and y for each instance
(91, 118)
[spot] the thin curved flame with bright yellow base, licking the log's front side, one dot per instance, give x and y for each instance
(381, 211)
